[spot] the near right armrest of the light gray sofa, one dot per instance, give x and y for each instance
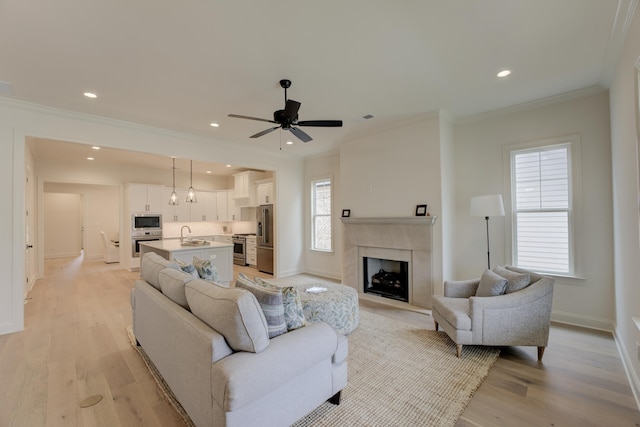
(244, 377)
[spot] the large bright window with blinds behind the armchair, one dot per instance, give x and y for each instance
(542, 206)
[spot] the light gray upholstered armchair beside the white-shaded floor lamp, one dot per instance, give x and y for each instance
(518, 317)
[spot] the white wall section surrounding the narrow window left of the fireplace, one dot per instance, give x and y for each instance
(328, 264)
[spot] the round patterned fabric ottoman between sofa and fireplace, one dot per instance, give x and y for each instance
(337, 306)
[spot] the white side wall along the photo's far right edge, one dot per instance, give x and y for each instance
(624, 147)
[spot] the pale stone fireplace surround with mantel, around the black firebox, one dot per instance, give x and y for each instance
(403, 239)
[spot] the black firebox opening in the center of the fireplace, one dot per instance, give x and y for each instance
(387, 278)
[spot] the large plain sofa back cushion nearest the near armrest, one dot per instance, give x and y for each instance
(234, 313)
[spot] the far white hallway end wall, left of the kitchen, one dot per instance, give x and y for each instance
(62, 224)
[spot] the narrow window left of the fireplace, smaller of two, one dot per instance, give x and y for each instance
(321, 215)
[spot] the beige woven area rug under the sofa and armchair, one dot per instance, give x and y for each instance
(399, 375)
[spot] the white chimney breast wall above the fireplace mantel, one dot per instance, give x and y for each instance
(388, 173)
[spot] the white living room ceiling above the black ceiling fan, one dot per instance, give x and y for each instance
(182, 65)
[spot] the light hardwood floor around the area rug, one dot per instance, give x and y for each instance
(74, 346)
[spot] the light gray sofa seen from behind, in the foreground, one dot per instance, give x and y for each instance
(284, 379)
